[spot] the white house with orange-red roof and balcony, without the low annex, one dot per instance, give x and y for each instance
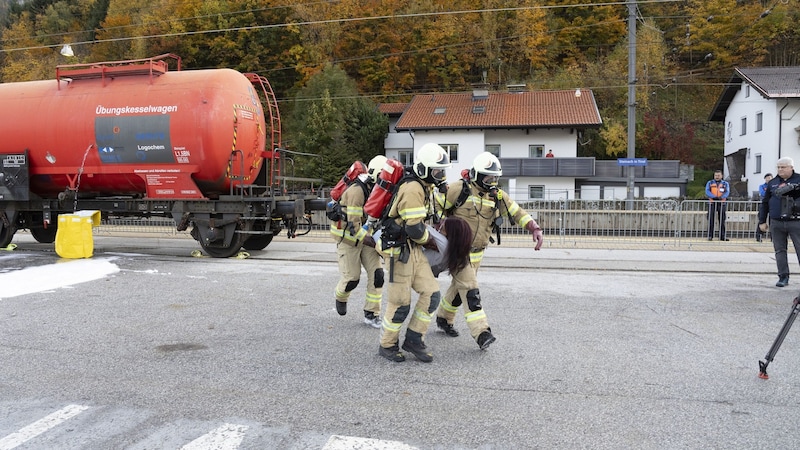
(517, 126)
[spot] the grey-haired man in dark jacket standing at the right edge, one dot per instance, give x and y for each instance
(778, 205)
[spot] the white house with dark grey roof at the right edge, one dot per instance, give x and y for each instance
(760, 108)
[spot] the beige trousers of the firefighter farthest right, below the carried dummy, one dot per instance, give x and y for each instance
(464, 289)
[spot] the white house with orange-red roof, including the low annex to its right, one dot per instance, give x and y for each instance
(520, 127)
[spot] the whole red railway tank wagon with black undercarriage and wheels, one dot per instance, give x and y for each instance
(134, 138)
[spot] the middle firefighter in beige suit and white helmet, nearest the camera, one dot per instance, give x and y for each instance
(402, 238)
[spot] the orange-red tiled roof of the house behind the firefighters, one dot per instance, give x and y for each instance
(484, 109)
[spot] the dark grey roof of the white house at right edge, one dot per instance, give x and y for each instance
(770, 82)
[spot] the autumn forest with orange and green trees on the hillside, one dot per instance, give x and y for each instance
(331, 62)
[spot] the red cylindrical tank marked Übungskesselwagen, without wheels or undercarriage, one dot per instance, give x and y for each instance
(136, 129)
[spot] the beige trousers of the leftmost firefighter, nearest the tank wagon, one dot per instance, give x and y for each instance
(351, 259)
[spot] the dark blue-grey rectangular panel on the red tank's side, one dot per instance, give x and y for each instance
(134, 139)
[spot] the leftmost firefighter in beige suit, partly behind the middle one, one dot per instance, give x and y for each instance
(356, 248)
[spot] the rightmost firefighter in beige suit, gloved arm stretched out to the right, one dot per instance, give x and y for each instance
(480, 202)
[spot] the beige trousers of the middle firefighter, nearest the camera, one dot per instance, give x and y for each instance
(413, 275)
